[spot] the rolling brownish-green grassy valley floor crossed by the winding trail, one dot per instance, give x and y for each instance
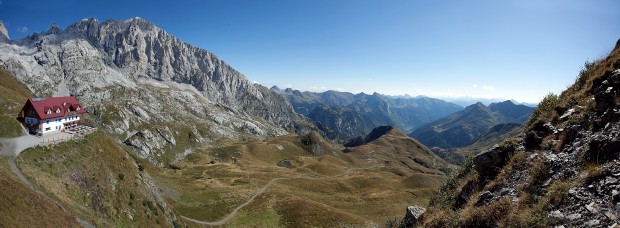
(366, 194)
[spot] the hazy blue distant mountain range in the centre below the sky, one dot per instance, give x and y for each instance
(343, 115)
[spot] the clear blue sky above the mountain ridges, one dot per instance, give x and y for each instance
(504, 49)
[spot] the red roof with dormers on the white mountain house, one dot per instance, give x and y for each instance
(53, 107)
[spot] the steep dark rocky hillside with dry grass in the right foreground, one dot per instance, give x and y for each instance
(562, 172)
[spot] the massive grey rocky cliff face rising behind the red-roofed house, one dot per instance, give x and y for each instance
(140, 79)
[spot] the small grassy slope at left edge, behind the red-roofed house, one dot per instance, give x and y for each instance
(13, 98)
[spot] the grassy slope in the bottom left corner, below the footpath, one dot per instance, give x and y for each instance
(20, 206)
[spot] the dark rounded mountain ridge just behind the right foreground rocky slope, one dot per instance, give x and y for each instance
(463, 128)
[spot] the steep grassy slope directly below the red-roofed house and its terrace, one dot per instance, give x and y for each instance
(96, 179)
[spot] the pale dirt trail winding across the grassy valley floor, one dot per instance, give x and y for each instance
(263, 189)
